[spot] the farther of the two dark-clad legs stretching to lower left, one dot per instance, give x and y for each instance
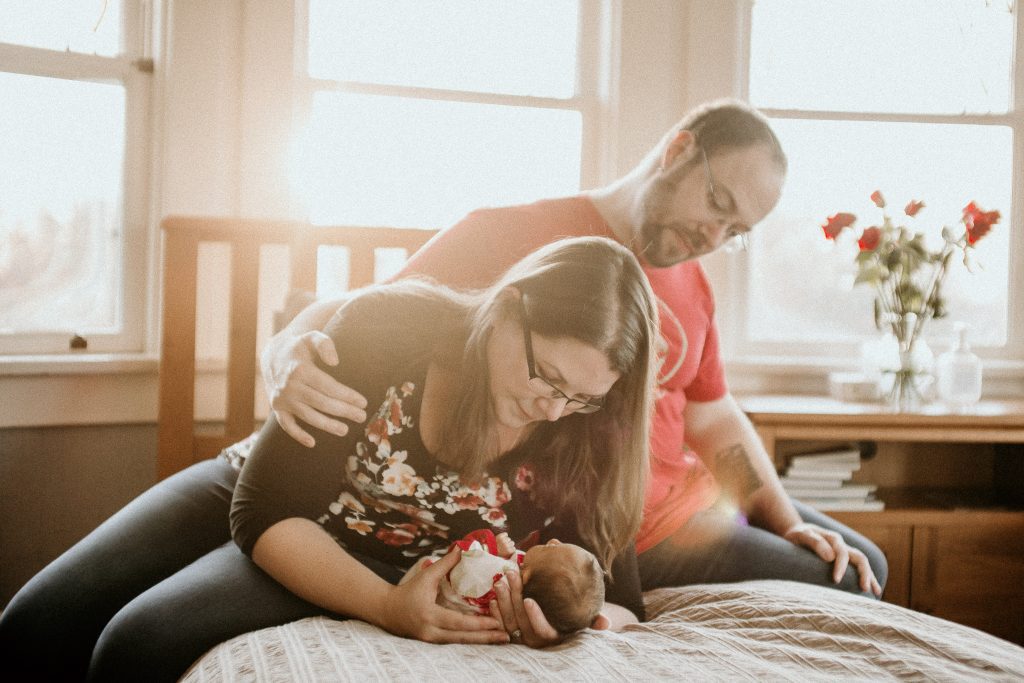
(52, 625)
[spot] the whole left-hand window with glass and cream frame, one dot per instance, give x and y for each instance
(72, 224)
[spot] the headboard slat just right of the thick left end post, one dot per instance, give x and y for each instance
(242, 340)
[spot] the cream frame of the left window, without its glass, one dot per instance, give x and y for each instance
(133, 68)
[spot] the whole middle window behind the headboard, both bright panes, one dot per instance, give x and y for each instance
(417, 112)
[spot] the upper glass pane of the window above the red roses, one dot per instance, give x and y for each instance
(883, 56)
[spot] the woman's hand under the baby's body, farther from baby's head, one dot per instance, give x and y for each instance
(411, 610)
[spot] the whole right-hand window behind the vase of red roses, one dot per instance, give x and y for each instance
(899, 97)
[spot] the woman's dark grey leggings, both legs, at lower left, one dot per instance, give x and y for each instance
(149, 591)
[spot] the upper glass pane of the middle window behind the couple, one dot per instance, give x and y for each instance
(526, 48)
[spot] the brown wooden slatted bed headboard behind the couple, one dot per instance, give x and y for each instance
(179, 443)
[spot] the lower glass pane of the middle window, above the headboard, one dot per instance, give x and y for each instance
(394, 161)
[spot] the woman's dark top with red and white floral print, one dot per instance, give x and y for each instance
(378, 491)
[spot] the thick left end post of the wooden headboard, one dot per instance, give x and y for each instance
(178, 360)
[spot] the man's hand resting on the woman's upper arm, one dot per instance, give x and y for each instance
(301, 391)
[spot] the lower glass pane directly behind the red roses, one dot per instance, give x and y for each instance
(801, 287)
